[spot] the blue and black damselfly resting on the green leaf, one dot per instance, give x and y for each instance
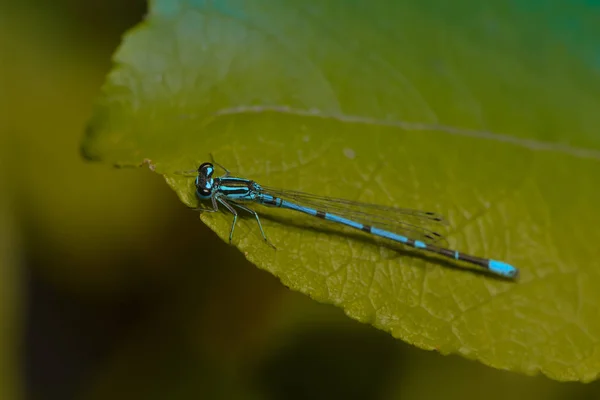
(397, 224)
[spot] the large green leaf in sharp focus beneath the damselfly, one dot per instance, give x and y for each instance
(437, 107)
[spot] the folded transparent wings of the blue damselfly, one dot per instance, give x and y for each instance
(414, 224)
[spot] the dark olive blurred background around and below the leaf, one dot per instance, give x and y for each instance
(110, 288)
